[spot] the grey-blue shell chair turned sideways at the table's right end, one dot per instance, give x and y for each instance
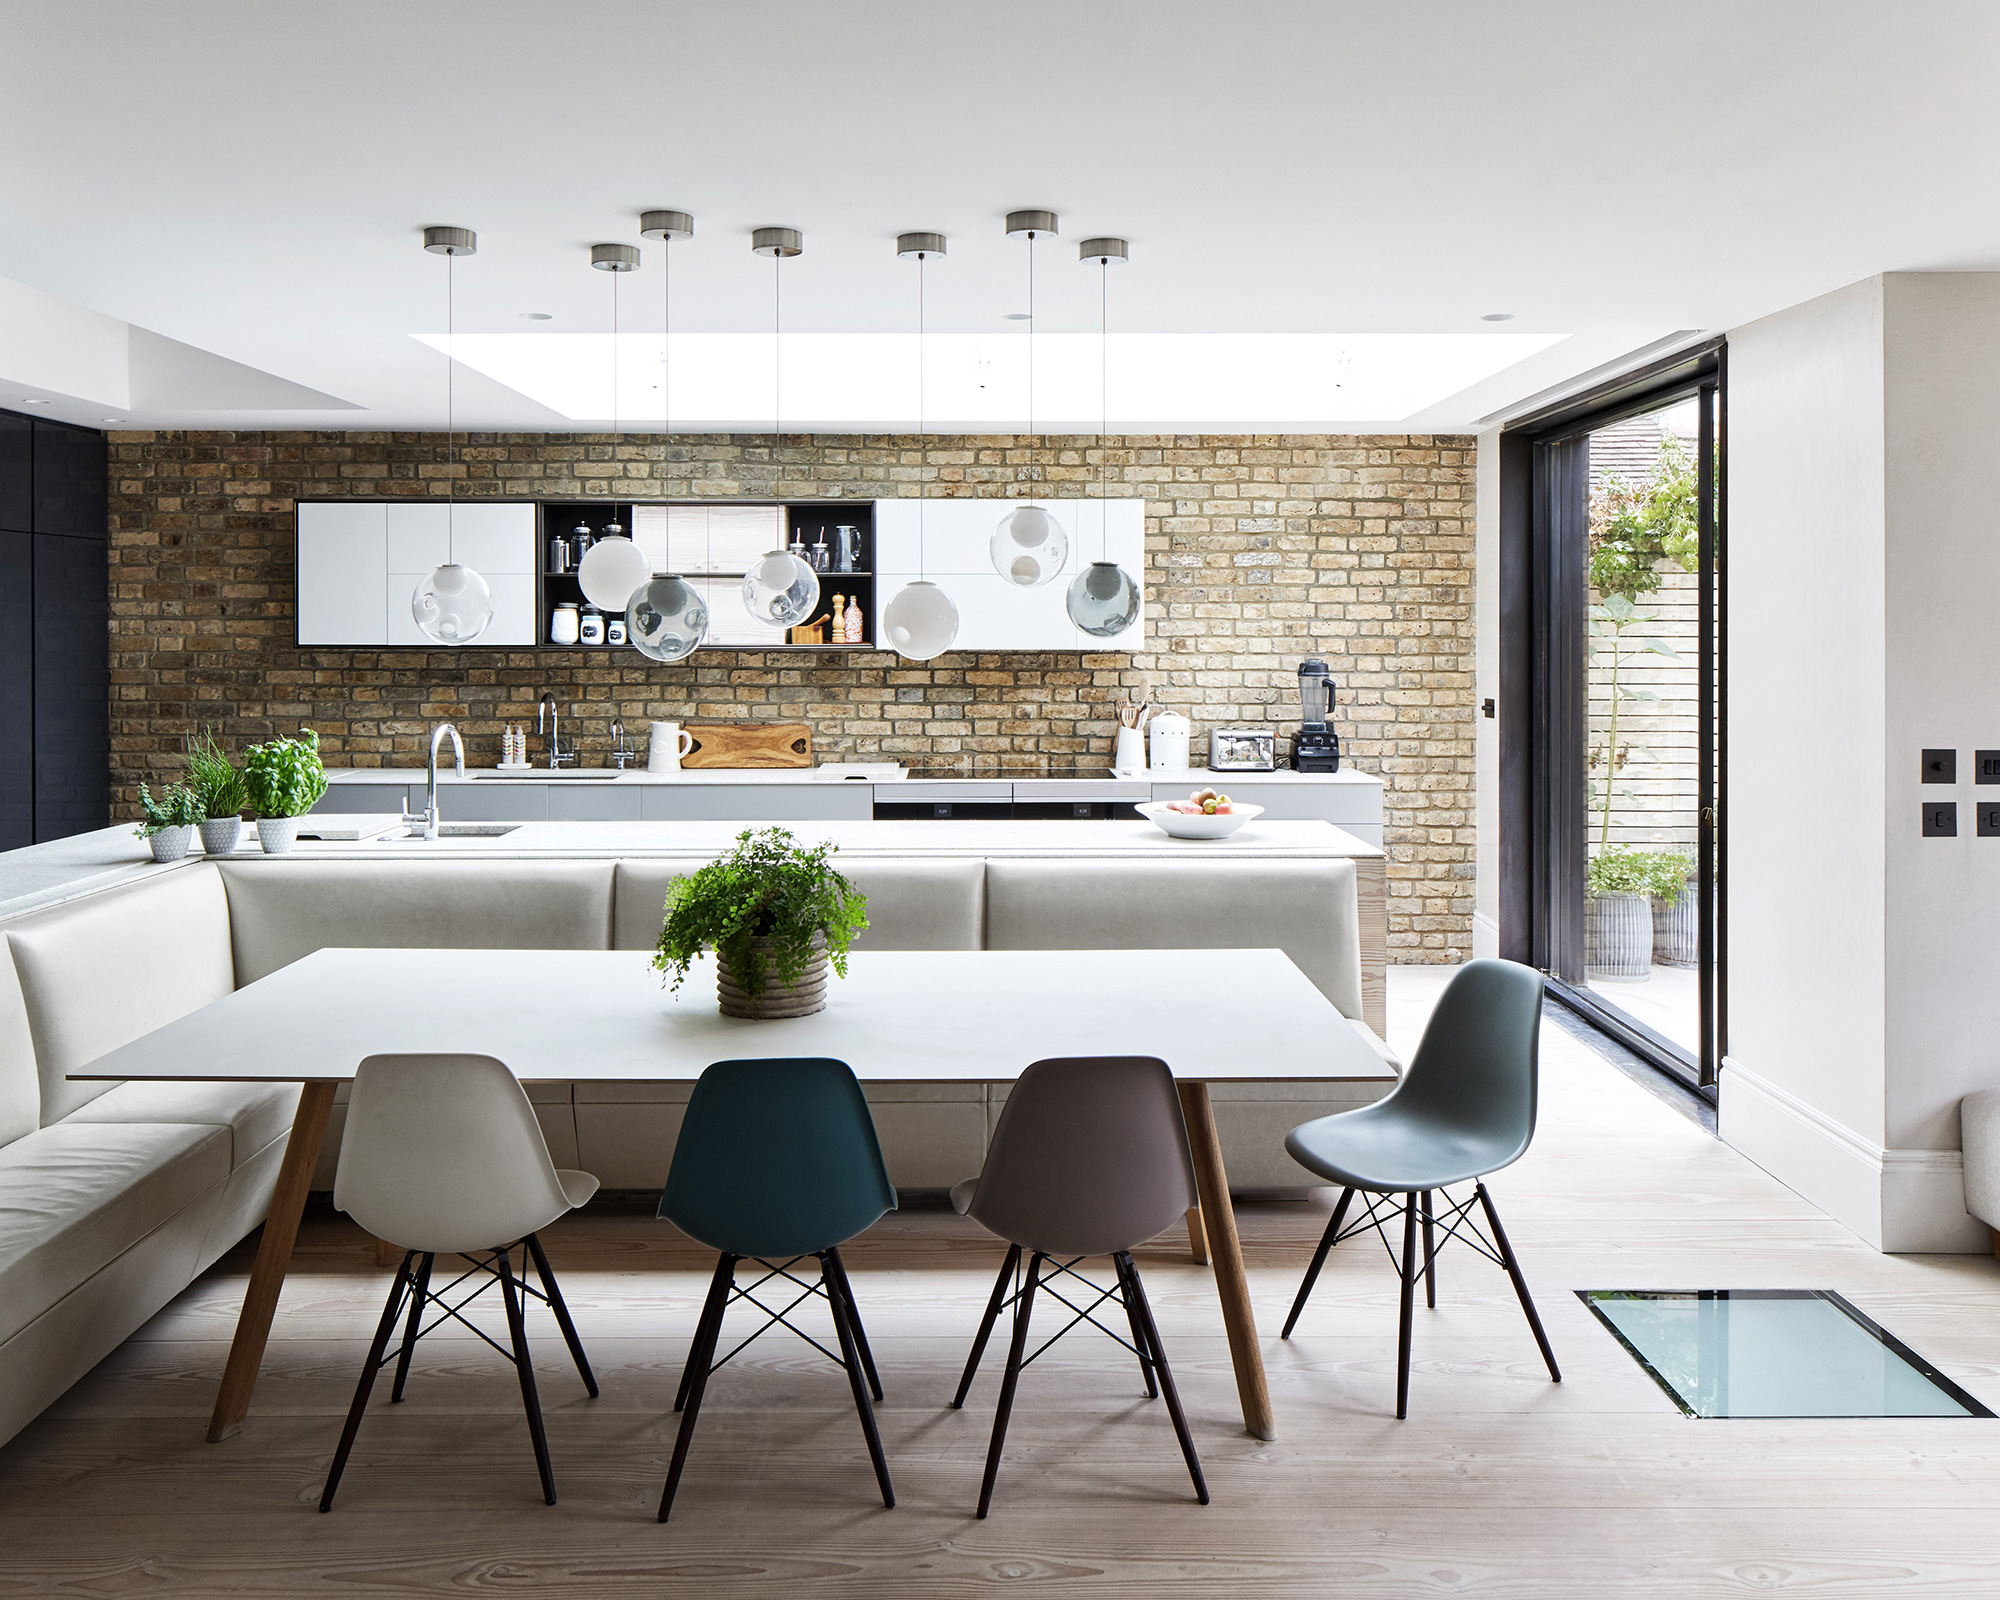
(1463, 1111)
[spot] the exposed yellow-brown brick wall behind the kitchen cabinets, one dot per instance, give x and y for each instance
(1261, 551)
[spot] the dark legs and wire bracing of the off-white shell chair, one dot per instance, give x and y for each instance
(489, 1269)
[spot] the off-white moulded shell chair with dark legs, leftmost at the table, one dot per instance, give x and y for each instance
(445, 1157)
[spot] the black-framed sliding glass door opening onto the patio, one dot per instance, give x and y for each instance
(1623, 701)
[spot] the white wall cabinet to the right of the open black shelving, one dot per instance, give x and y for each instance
(995, 615)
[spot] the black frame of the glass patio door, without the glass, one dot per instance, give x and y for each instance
(1545, 695)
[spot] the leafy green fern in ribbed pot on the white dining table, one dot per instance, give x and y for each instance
(775, 915)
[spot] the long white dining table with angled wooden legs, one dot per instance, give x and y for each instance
(901, 1017)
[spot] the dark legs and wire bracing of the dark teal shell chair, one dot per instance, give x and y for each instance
(855, 1355)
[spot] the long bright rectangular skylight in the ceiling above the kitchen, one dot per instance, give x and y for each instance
(1157, 383)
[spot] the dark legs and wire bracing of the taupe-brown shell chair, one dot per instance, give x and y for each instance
(1017, 1295)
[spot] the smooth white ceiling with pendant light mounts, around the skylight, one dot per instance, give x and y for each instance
(251, 181)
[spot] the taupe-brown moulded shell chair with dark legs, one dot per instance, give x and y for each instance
(1089, 1159)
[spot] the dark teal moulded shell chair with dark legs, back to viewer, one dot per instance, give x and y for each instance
(777, 1161)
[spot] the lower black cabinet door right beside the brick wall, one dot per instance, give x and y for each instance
(71, 687)
